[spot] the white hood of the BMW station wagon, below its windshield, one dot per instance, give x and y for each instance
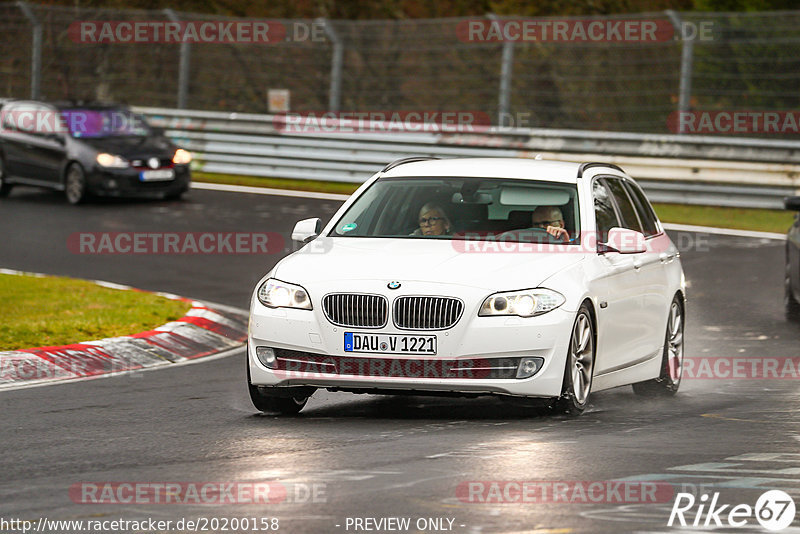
(439, 261)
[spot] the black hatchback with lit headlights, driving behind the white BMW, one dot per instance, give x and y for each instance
(83, 150)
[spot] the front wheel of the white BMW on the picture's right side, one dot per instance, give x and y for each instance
(579, 369)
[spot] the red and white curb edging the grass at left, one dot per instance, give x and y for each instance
(206, 330)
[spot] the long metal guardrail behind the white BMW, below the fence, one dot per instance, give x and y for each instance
(672, 168)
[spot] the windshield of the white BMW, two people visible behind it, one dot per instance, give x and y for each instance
(464, 208)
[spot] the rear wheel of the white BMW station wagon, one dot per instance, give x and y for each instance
(669, 380)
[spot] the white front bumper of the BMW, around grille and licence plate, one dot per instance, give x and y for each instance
(472, 347)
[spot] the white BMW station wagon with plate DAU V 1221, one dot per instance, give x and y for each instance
(490, 276)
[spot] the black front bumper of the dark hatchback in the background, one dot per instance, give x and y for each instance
(125, 182)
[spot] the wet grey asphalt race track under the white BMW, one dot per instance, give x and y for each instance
(384, 456)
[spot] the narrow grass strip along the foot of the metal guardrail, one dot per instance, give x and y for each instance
(761, 220)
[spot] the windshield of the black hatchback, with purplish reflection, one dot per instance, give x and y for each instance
(95, 123)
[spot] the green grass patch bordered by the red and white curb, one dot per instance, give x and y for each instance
(47, 311)
